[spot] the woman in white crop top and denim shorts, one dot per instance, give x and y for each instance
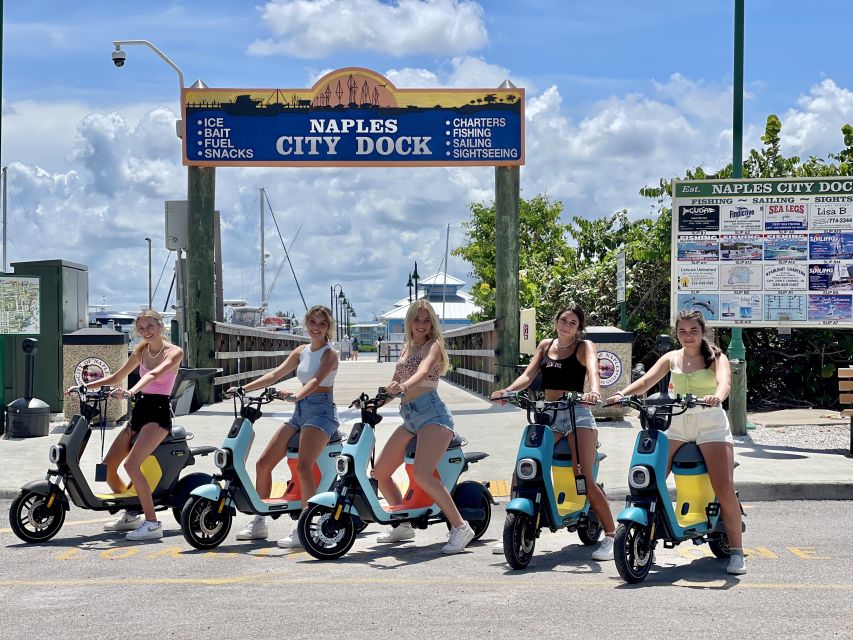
(315, 417)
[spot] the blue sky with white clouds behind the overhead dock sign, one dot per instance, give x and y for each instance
(619, 94)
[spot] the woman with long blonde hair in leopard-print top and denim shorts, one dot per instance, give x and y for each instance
(421, 363)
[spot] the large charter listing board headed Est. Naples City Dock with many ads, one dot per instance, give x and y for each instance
(765, 253)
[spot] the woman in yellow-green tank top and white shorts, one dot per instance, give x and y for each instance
(701, 369)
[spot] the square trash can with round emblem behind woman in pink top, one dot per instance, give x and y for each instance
(89, 355)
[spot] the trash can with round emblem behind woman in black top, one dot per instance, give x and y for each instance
(615, 350)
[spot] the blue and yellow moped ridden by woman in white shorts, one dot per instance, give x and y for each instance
(649, 514)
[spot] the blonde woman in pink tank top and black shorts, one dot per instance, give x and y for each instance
(151, 421)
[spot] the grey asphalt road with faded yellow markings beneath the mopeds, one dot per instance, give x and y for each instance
(90, 584)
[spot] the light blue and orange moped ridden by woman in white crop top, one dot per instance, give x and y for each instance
(206, 517)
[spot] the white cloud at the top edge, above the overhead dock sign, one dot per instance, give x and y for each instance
(316, 28)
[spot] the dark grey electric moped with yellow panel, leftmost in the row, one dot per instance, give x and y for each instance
(38, 512)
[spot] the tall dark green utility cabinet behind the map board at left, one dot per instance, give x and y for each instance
(64, 302)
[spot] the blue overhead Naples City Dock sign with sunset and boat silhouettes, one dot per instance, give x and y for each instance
(353, 117)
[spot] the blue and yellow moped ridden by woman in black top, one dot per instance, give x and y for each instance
(547, 493)
